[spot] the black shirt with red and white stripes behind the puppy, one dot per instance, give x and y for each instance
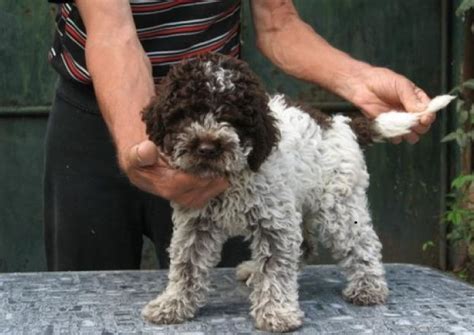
(169, 30)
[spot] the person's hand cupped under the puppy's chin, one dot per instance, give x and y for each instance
(149, 171)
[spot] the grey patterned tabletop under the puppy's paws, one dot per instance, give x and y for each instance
(421, 301)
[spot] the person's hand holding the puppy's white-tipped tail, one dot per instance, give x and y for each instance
(376, 90)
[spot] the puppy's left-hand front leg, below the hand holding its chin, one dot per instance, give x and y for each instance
(195, 248)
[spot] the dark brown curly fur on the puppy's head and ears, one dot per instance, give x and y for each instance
(190, 91)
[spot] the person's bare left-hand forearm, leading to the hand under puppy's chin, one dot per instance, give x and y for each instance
(120, 70)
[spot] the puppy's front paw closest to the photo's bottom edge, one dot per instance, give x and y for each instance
(279, 321)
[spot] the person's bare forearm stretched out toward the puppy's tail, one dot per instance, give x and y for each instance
(298, 50)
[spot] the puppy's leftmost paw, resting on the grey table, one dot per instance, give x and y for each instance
(167, 310)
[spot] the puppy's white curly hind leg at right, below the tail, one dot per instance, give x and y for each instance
(345, 227)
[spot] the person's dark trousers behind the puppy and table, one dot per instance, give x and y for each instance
(94, 218)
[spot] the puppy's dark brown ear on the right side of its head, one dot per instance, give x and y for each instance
(265, 136)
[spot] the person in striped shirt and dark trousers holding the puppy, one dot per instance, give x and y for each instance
(105, 184)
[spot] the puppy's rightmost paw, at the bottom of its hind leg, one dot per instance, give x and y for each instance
(366, 291)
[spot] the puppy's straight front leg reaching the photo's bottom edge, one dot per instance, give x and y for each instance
(276, 249)
